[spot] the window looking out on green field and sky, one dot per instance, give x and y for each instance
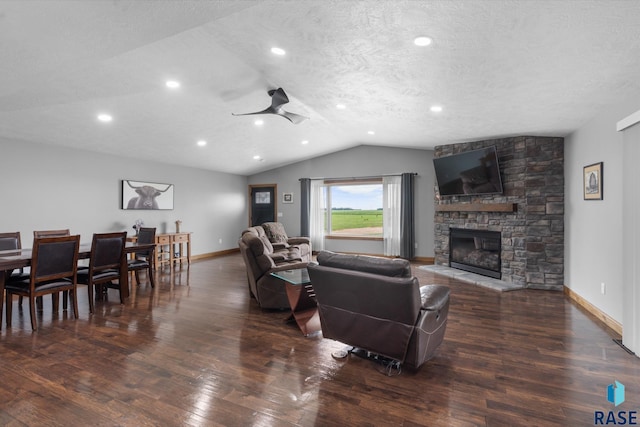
(355, 208)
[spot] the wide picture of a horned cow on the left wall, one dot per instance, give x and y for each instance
(146, 195)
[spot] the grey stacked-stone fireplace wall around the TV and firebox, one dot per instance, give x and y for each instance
(532, 170)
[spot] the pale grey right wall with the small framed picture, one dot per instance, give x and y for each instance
(593, 229)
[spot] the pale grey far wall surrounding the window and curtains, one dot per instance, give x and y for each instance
(357, 162)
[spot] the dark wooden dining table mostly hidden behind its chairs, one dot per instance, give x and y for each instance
(12, 259)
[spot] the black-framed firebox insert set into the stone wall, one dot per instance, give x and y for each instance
(476, 251)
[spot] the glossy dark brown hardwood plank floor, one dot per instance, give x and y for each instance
(198, 351)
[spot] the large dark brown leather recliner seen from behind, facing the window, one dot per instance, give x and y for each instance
(375, 304)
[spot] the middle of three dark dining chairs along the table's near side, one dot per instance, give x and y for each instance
(105, 262)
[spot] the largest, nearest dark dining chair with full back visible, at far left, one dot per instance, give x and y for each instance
(54, 265)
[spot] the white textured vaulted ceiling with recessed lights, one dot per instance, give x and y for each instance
(498, 68)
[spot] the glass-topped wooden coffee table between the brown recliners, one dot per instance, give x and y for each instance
(304, 309)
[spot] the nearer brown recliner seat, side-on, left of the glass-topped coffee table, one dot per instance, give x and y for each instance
(269, 291)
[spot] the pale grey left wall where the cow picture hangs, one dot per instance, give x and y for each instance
(49, 188)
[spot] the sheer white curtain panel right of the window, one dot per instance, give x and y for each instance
(391, 214)
